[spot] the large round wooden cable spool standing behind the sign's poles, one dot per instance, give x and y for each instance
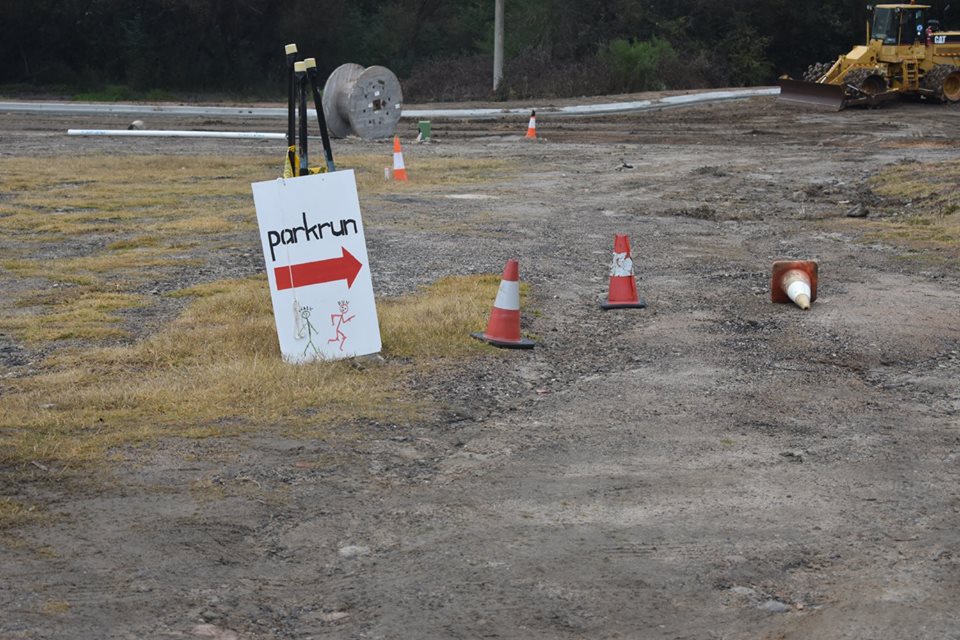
(362, 102)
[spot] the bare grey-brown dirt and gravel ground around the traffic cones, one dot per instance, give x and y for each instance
(713, 466)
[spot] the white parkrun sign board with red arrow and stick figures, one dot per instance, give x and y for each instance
(316, 257)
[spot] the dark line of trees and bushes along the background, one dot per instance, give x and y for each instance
(441, 50)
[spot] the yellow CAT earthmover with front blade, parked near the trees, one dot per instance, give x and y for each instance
(906, 55)
